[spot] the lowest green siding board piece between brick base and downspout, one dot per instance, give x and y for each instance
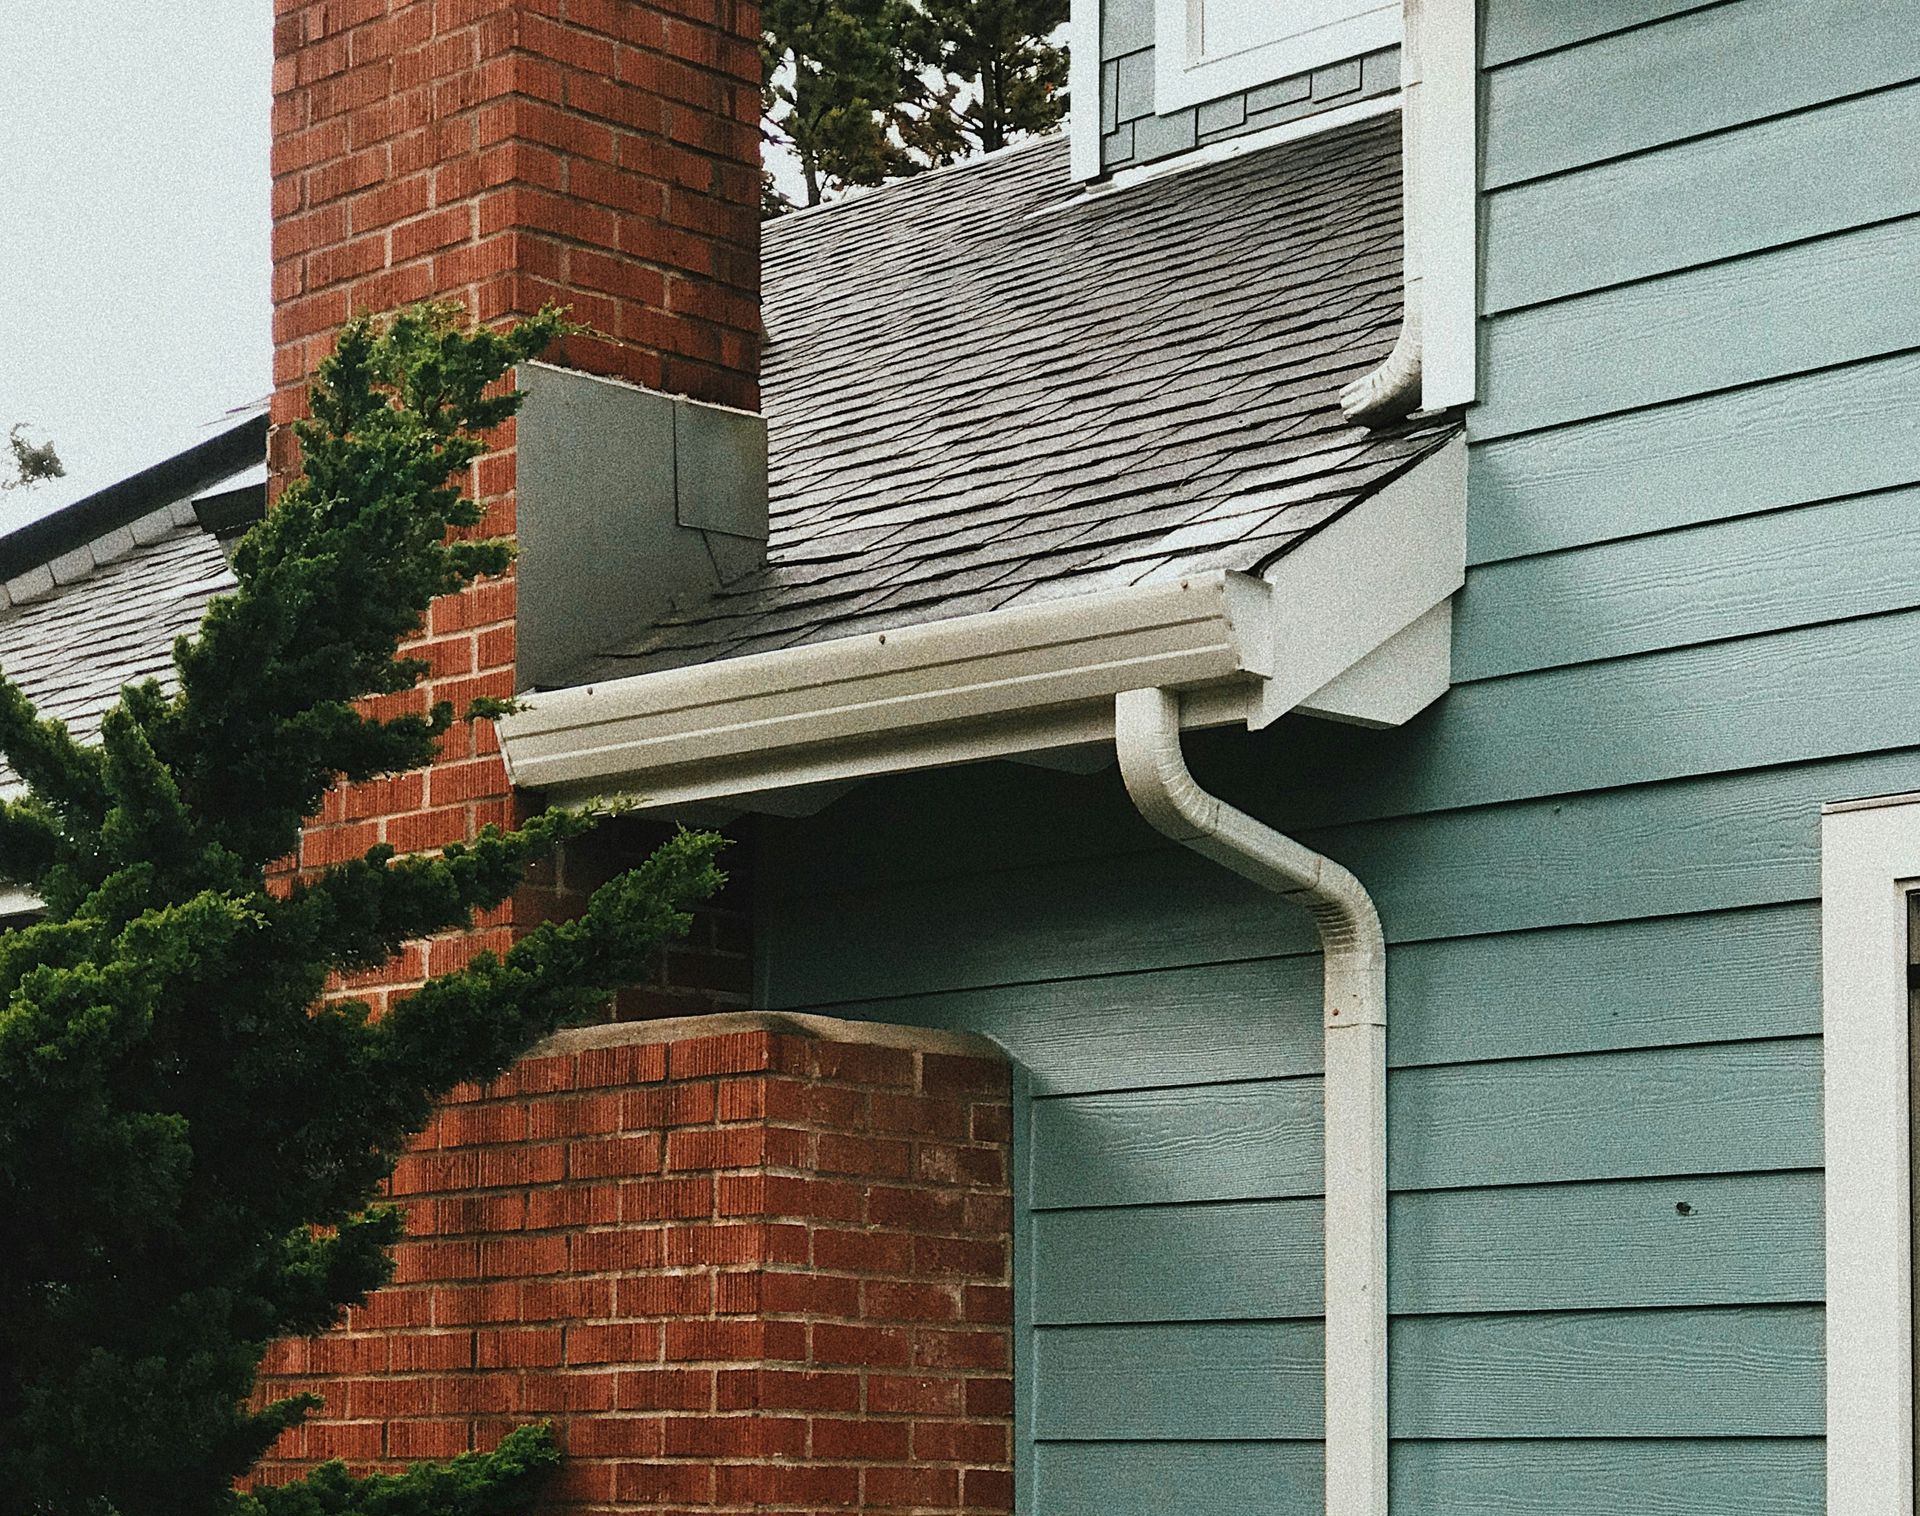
(1186, 1479)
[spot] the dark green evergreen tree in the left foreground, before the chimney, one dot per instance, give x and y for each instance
(191, 1133)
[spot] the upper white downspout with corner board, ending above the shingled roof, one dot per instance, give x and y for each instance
(1433, 364)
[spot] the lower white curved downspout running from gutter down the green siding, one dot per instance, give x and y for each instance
(1149, 740)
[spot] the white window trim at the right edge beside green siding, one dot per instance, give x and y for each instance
(1869, 861)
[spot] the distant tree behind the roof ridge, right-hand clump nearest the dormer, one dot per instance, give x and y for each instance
(994, 70)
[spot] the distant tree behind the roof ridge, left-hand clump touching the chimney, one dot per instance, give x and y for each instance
(836, 76)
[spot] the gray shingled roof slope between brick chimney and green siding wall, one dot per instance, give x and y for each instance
(990, 389)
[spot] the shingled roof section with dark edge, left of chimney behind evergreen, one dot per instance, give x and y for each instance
(95, 594)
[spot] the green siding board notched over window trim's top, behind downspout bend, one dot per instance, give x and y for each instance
(1620, 855)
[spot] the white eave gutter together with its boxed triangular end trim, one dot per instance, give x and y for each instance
(1034, 680)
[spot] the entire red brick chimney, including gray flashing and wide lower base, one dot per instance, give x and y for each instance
(742, 1266)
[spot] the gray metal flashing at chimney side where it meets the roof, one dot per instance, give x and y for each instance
(631, 504)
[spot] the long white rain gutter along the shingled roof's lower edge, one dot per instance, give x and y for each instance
(917, 698)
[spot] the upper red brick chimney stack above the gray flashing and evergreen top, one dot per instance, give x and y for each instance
(602, 154)
